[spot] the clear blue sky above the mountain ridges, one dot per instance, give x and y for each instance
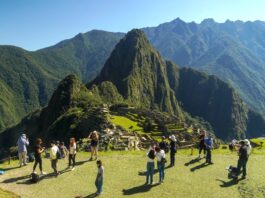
(34, 24)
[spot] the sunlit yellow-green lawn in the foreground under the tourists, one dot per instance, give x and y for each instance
(122, 178)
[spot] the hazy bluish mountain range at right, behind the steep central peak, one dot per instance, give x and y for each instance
(233, 51)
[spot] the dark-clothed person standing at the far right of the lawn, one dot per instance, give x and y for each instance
(243, 154)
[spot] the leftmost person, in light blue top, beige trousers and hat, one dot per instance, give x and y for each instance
(22, 144)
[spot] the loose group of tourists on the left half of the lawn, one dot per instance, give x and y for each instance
(59, 151)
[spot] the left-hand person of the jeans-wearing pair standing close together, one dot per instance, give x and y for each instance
(150, 164)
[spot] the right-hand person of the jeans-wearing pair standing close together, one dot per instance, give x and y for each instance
(161, 160)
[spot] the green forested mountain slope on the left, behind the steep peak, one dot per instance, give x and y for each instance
(27, 79)
